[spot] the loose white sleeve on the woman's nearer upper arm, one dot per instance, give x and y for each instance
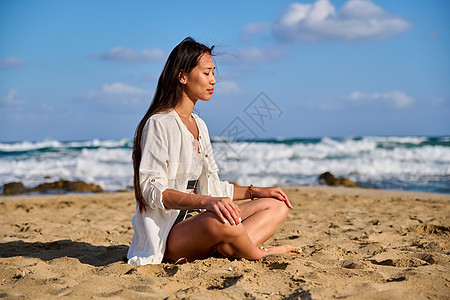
(153, 172)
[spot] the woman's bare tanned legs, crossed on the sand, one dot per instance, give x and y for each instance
(195, 237)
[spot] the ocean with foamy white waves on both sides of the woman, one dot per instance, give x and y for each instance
(397, 163)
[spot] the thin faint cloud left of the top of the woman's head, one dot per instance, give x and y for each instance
(131, 56)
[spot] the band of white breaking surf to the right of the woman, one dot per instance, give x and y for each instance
(360, 160)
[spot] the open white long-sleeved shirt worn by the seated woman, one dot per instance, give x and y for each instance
(166, 157)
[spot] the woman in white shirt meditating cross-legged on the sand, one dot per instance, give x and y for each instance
(184, 212)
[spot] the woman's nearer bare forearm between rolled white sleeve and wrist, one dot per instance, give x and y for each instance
(174, 199)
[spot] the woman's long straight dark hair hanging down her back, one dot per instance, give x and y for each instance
(183, 58)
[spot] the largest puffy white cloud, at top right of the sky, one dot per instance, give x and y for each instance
(319, 21)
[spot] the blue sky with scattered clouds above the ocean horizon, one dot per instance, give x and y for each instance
(76, 70)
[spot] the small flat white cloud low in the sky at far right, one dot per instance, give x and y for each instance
(395, 98)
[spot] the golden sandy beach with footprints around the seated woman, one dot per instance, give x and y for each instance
(357, 244)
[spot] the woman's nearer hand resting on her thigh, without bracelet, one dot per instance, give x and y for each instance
(225, 209)
